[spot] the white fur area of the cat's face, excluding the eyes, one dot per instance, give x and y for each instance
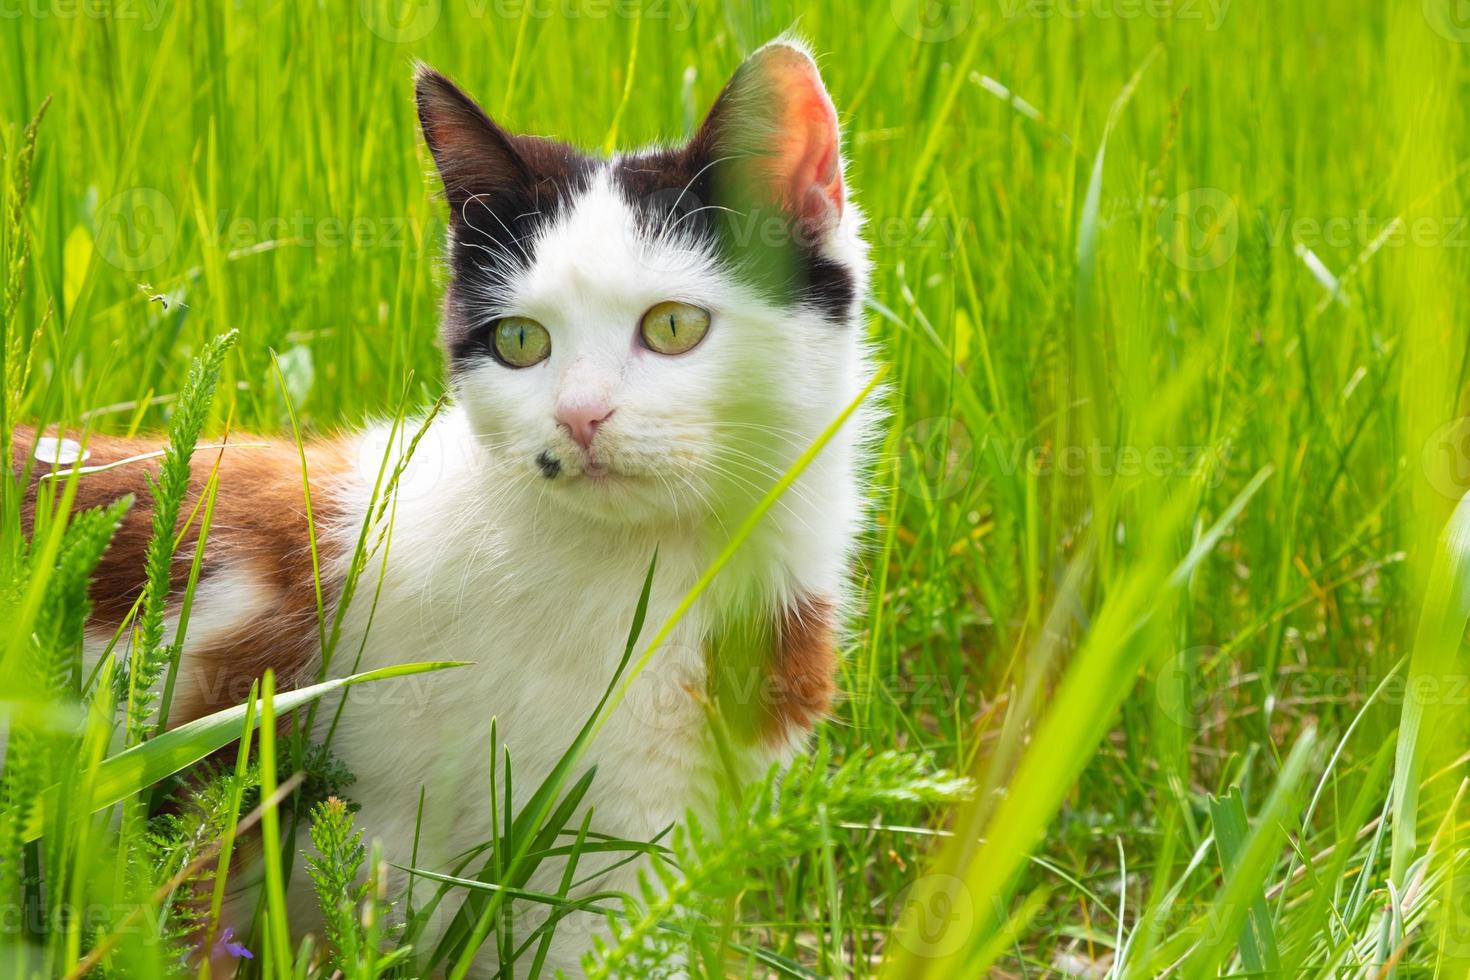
(673, 434)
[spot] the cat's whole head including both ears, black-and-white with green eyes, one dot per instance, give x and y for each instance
(559, 259)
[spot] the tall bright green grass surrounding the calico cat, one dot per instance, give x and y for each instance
(1166, 553)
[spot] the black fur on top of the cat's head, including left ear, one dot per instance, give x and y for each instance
(503, 189)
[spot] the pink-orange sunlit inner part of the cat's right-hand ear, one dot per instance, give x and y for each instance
(806, 152)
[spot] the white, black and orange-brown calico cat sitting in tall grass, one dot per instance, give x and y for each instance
(639, 347)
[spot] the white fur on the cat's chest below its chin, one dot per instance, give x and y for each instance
(542, 603)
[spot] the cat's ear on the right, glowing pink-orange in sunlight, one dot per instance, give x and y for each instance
(772, 137)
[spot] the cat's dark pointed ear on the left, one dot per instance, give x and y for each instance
(474, 156)
